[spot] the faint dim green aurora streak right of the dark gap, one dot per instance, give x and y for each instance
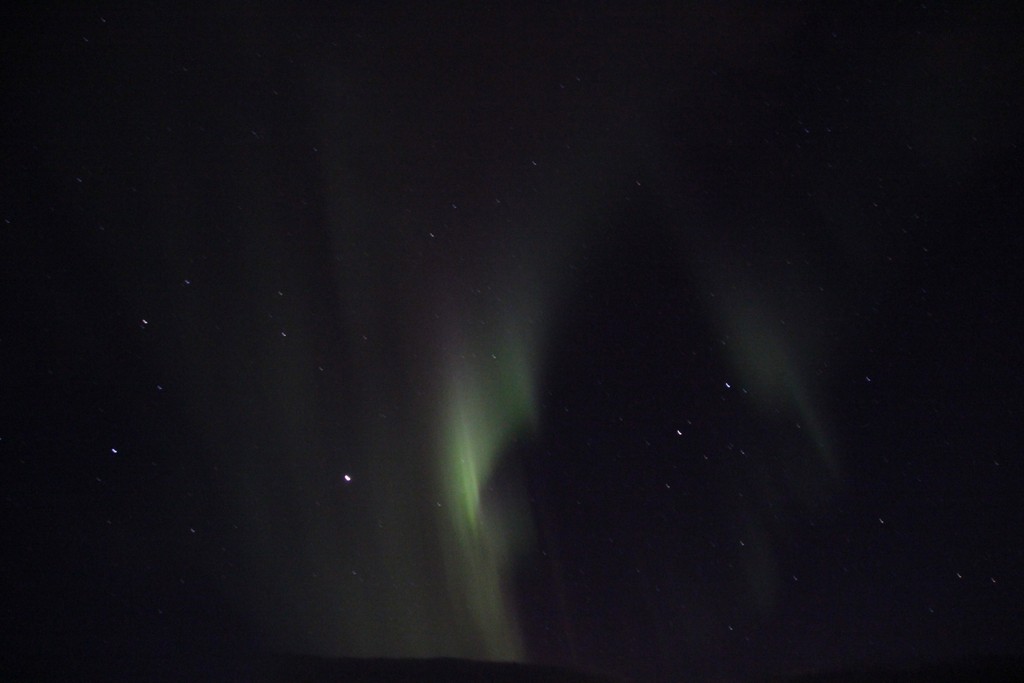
(775, 345)
